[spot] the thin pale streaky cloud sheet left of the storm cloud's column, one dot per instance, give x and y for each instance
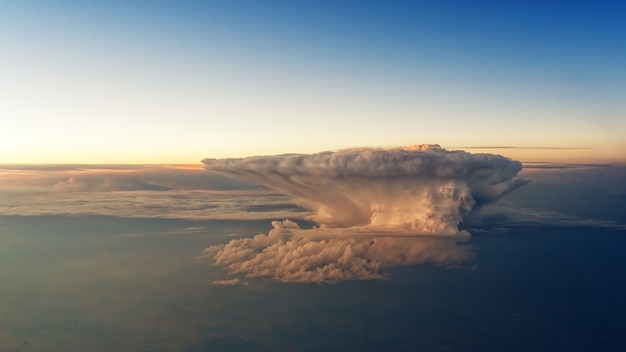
(182, 204)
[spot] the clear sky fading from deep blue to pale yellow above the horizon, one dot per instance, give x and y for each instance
(178, 81)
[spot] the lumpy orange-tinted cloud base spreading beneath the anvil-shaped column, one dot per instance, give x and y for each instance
(290, 254)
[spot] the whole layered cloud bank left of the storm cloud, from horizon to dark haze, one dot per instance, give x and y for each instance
(135, 191)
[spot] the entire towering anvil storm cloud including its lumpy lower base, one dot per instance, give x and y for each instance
(365, 199)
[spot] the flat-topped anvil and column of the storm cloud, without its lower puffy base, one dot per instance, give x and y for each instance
(417, 189)
